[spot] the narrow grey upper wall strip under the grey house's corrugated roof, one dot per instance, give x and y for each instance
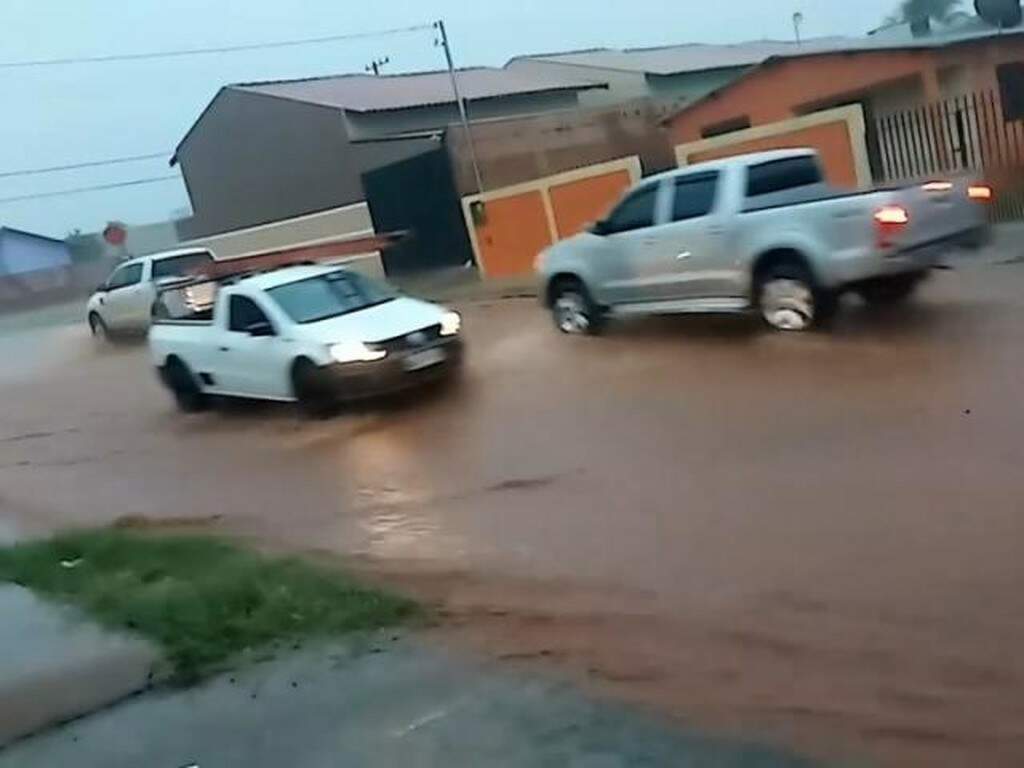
(393, 122)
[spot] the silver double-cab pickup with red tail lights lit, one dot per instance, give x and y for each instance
(759, 233)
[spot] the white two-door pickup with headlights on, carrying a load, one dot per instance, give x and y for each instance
(313, 334)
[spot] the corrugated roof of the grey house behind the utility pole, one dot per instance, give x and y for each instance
(377, 94)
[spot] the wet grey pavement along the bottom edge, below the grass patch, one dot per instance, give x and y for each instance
(404, 705)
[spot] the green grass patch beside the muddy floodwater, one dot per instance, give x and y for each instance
(202, 601)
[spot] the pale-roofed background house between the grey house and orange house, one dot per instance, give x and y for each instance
(671, 76)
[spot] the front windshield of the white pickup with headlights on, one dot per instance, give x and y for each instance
(330, 295)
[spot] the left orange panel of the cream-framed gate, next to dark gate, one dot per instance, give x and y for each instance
(516, 231)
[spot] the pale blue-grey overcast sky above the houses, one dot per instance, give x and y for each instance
(87, 112)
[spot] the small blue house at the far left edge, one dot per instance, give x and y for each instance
(31, 265)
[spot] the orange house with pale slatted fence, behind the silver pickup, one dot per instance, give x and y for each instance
(935, 92)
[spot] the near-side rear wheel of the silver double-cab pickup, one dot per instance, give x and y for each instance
(789, 300)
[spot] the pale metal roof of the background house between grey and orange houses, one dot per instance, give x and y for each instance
(677, 60)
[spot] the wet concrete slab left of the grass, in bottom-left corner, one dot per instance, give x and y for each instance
(56, 666)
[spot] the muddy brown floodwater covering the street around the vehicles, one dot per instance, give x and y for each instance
(815, 540)
